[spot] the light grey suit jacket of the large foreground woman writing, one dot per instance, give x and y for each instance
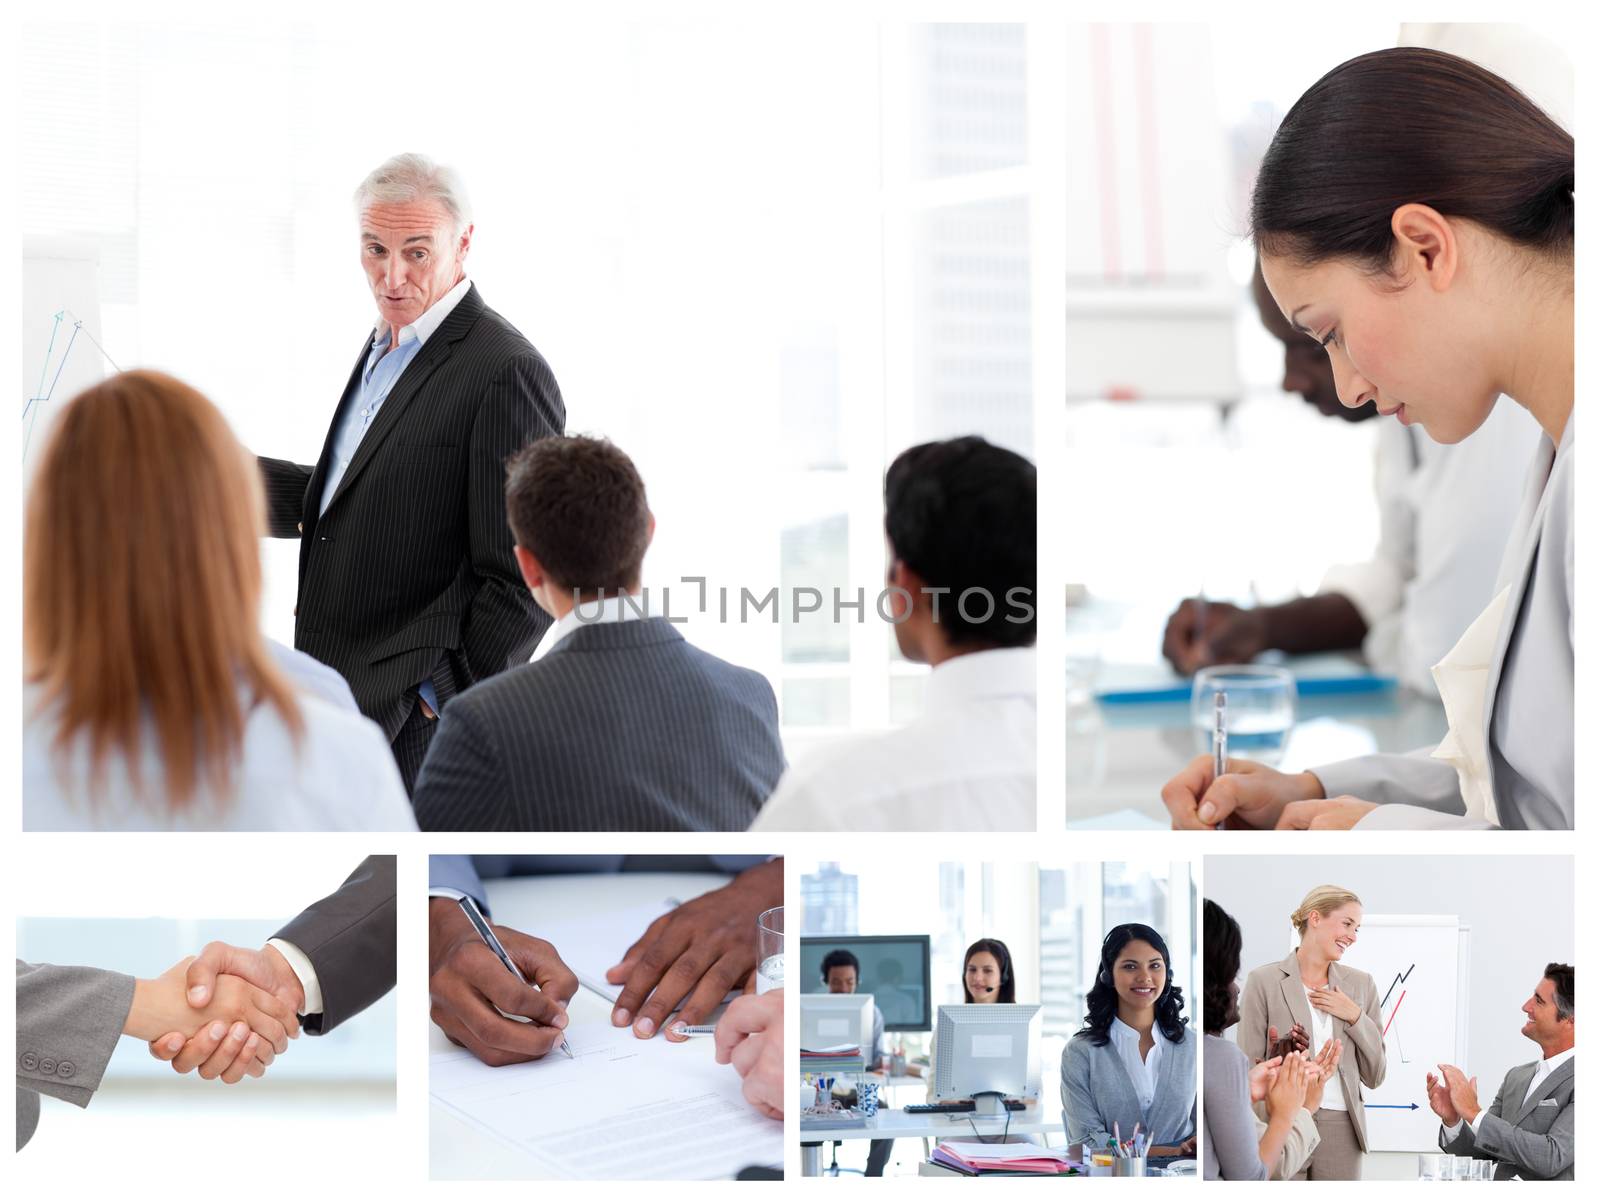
(1529, 721)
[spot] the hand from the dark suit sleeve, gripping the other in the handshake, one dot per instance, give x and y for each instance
(233, 1052)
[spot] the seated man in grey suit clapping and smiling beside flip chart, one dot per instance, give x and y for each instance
(1529, 1130)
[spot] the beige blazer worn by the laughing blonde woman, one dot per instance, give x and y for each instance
(1274, 996)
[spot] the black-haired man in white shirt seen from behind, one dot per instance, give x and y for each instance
(961, 522)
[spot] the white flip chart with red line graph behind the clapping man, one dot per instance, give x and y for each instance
(1422, 966)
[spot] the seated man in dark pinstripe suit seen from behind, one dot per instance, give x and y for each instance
(620, 724)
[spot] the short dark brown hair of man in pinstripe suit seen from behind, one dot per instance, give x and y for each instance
(578, 506)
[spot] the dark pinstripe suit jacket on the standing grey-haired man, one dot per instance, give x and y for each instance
(409, 575)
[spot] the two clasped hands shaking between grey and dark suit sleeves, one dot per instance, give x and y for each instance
(230, 1012)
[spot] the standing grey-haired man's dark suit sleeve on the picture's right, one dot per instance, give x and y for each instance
(503, 626)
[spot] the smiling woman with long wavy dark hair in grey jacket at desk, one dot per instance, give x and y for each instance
(1134, 1063)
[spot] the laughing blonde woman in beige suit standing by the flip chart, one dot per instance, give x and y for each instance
(1329, 1001)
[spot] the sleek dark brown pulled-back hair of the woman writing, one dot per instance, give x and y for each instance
(1410, 126)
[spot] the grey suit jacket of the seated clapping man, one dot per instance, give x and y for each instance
(1529, 1135)
